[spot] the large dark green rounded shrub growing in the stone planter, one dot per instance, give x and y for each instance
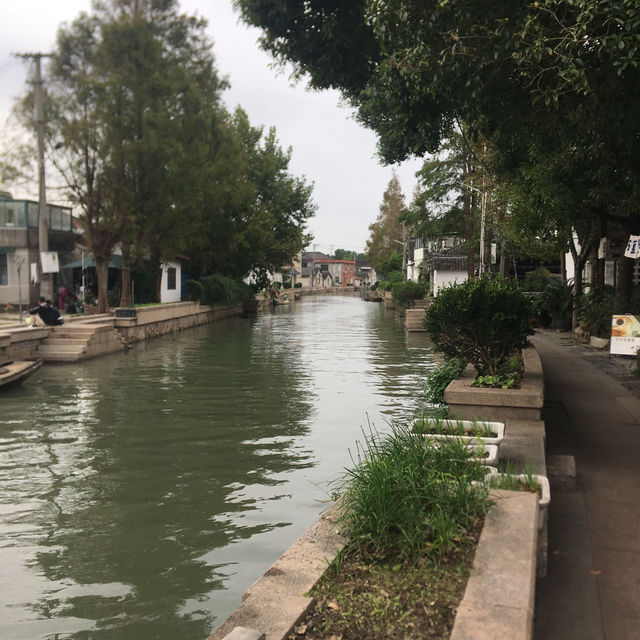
(482, 321)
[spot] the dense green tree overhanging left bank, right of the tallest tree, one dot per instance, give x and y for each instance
(254, 212)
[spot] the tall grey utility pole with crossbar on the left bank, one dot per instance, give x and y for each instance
(46, 279)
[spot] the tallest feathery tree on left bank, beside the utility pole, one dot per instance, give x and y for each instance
(133, 85)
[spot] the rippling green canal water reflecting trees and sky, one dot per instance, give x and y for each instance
(142, 493)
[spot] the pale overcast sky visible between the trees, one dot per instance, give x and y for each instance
(329, 148)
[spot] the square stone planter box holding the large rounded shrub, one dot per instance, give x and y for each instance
(468, 402)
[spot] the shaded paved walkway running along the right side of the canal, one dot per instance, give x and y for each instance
(592, 588)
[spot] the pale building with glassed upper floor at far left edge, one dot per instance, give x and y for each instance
(19, 249)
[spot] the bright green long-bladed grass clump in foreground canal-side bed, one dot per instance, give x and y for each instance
(408, 496)
